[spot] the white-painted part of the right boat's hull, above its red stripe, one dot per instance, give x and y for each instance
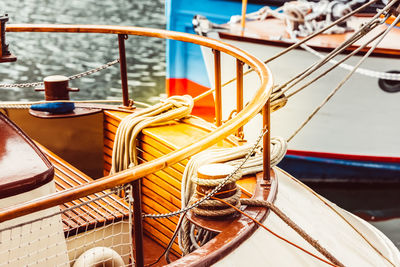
(359, 120)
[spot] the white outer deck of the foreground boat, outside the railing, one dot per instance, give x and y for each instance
(320, 219)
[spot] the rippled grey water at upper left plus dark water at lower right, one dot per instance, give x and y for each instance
(40, 55)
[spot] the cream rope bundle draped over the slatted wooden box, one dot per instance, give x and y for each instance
(124, 150)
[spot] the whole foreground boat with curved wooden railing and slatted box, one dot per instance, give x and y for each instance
(72, 219)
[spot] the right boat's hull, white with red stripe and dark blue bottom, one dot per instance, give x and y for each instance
(354, 122)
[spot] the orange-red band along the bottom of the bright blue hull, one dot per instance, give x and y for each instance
(203, 108)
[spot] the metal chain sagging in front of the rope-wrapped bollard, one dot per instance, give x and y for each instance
(214, 191)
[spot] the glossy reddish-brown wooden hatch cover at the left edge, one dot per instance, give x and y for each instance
(23, 166)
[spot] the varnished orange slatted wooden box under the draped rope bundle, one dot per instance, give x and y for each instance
(161, 191)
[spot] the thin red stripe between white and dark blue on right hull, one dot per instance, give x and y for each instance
(343, 156)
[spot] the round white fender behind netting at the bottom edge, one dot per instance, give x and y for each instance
(99, 256)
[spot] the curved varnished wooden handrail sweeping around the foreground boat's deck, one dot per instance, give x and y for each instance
(257, 104)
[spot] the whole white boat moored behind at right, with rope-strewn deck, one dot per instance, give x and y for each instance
(339, 144)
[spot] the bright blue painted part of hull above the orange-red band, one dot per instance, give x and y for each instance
(184, 60)
